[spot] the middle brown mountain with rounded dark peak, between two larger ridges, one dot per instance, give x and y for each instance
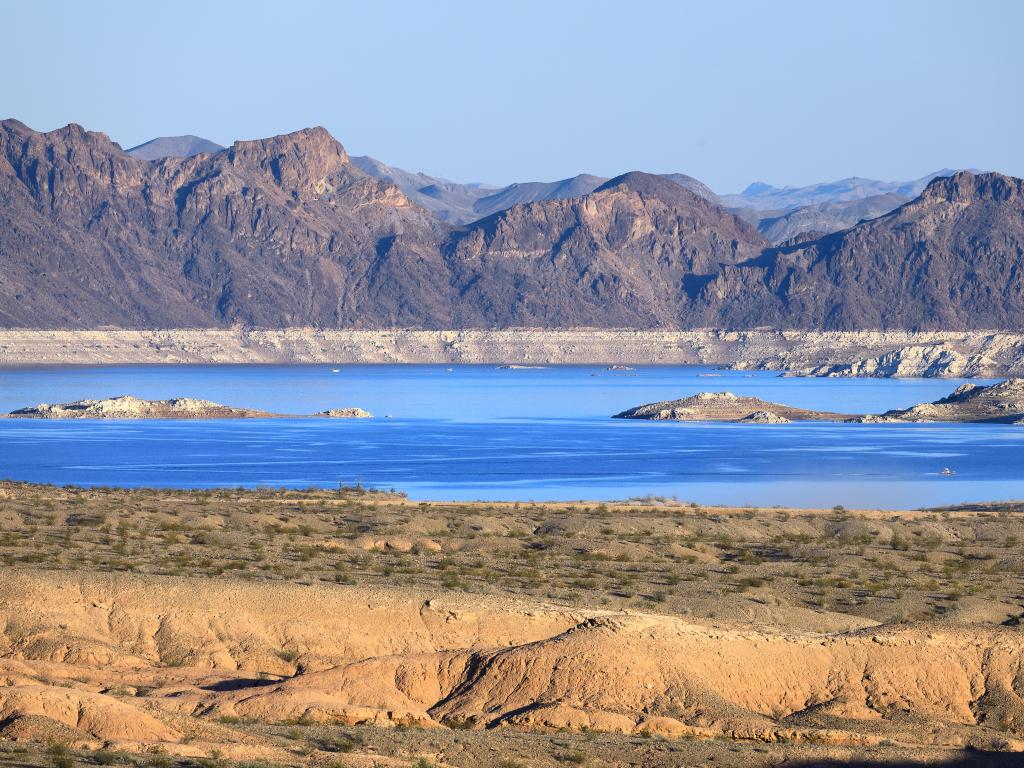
(633, 253)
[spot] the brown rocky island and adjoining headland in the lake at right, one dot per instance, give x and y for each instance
(970, 404)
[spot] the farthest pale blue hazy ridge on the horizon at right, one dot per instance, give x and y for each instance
(766, 198)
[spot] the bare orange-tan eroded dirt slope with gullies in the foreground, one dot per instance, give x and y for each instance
(120, 658)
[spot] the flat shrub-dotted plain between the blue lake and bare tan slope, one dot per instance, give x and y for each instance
(659, 553)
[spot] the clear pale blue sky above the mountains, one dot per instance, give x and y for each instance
(728, 92)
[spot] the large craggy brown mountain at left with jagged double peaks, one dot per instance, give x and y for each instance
(280, 232)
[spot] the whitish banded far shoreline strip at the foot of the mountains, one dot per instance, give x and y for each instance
(856, 354)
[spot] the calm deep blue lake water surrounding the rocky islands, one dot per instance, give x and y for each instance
(470, 433)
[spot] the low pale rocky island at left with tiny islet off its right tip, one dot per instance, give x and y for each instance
(127, 407)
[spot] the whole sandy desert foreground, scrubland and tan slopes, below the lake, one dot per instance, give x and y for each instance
(336, 628)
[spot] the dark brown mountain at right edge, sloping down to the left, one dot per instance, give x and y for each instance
(953, 259)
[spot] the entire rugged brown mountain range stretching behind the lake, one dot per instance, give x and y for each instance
(292, 232)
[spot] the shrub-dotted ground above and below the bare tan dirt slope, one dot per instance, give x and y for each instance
(653, 556)
